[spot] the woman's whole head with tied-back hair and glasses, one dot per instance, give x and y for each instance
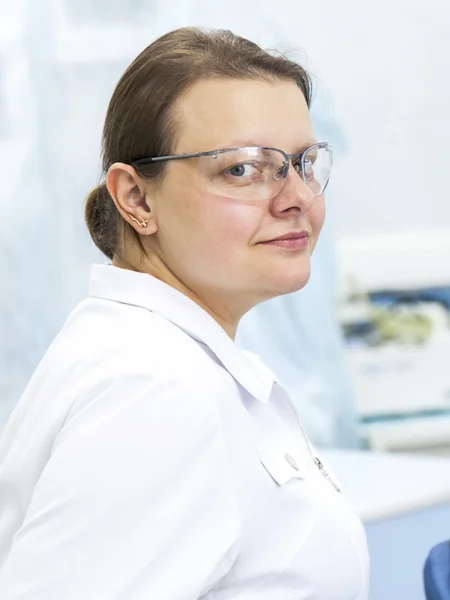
(193, 91)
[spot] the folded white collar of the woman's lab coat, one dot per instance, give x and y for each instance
(140, 289)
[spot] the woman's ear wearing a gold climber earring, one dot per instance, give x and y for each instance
(127, 190)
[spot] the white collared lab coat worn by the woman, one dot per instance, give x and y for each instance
(150, 458)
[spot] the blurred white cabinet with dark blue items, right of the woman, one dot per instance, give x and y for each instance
(395, 312)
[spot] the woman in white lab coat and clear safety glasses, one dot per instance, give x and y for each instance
(149, 457)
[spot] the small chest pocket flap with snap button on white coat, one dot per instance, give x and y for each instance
(284, 458)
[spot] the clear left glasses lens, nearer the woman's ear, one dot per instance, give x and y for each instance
(243, 174)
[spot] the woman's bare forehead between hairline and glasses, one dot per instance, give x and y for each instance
(221, 113)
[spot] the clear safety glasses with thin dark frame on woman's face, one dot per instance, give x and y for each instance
(256, 173)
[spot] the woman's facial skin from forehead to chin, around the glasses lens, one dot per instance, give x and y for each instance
(219, 245)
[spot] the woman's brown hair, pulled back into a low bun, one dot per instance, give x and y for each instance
(140, 120)
